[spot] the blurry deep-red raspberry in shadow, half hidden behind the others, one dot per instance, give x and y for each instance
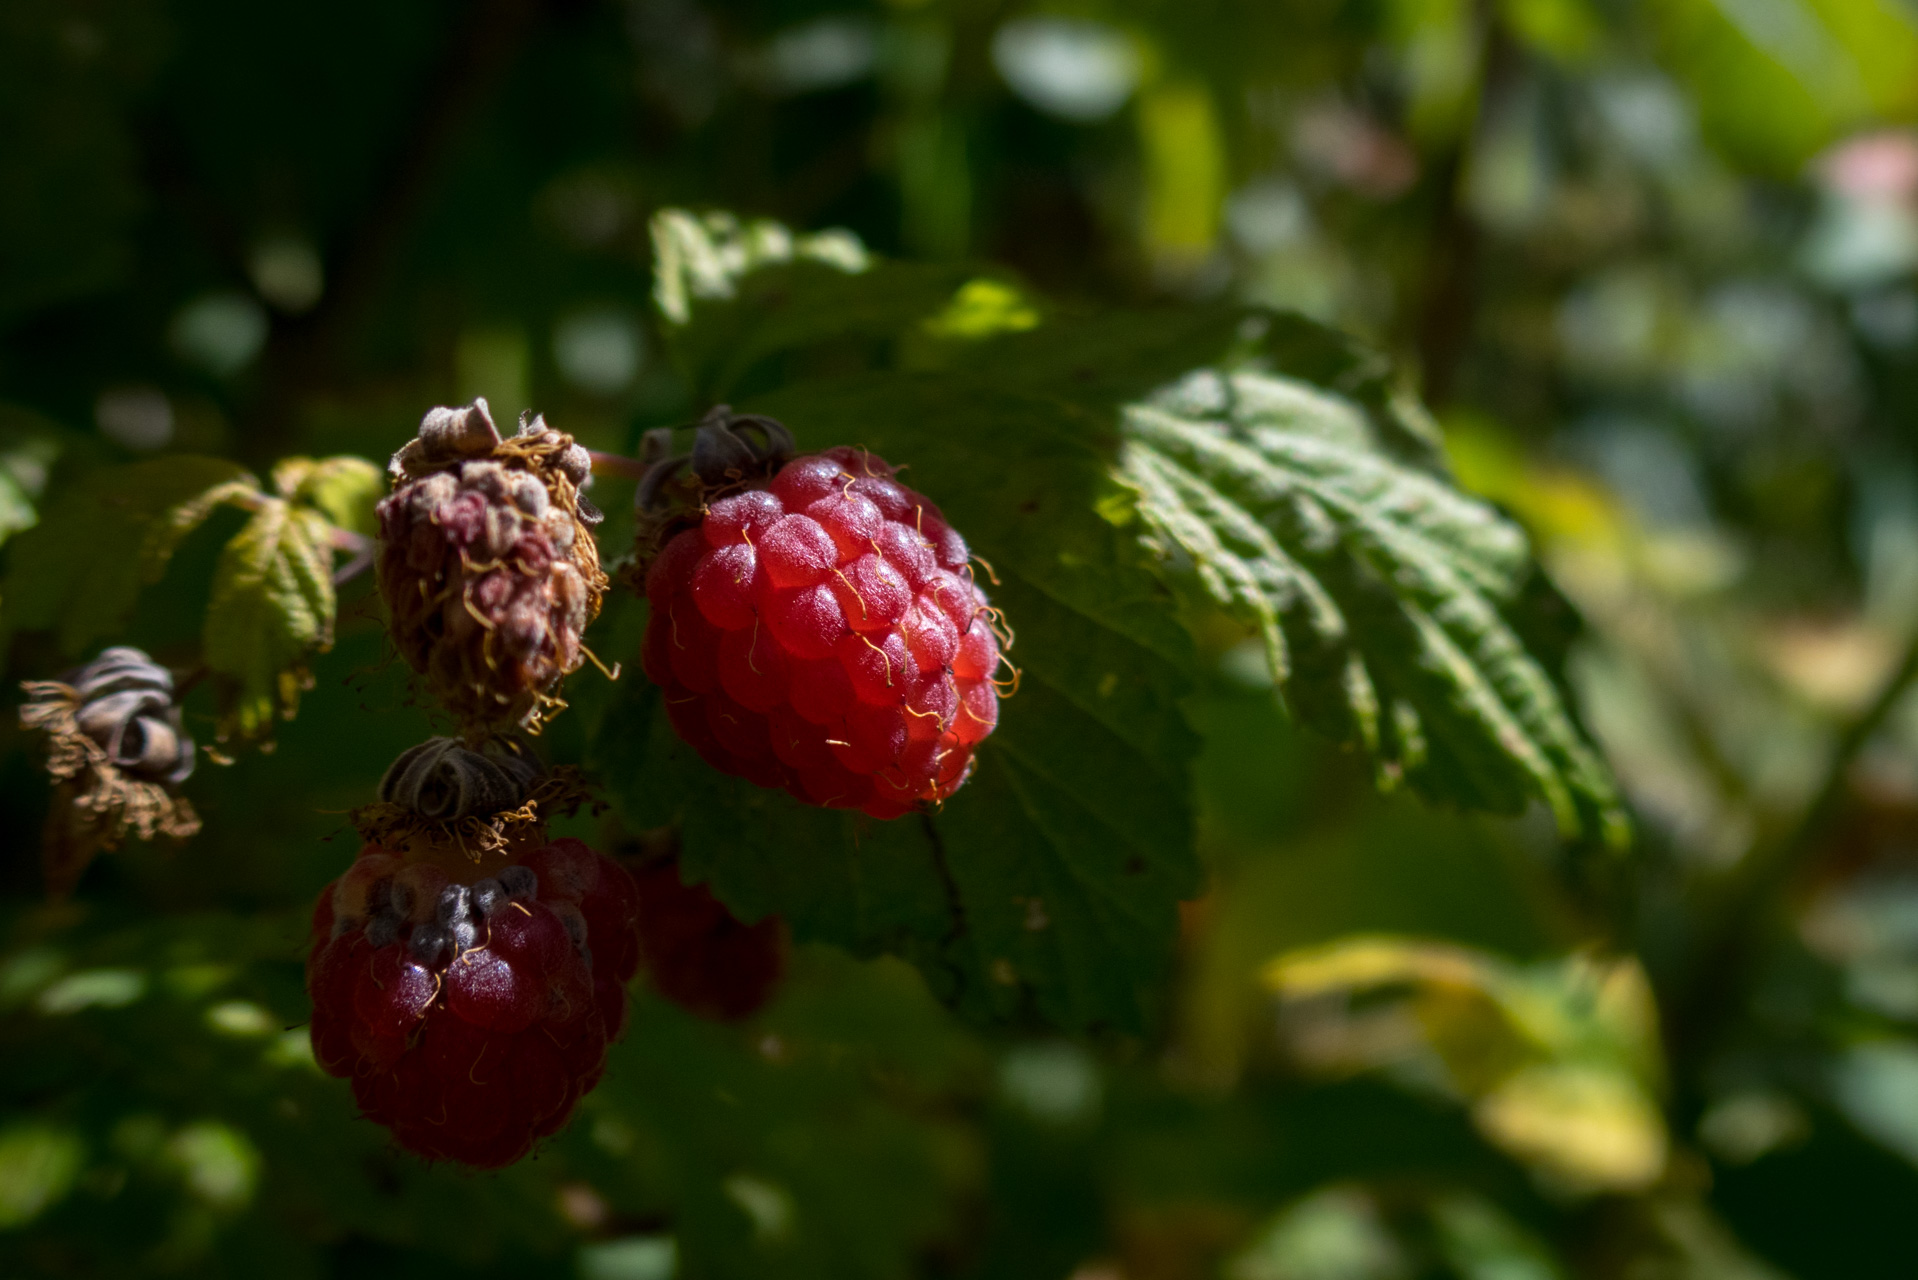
(699, 955)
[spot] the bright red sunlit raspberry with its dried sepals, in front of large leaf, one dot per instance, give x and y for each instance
(816, 625)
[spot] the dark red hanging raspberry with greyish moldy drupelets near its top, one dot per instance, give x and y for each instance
(473, 1005)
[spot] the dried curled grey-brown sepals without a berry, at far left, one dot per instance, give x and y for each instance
(118, 755)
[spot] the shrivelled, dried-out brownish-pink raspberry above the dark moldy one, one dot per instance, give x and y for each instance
(488, 565)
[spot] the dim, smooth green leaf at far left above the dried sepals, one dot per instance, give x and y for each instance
(82, 569)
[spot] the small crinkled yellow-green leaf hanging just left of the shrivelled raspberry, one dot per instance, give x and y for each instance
(273, 607)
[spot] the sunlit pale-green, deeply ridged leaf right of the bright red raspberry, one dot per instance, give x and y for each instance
(1380, 590)
